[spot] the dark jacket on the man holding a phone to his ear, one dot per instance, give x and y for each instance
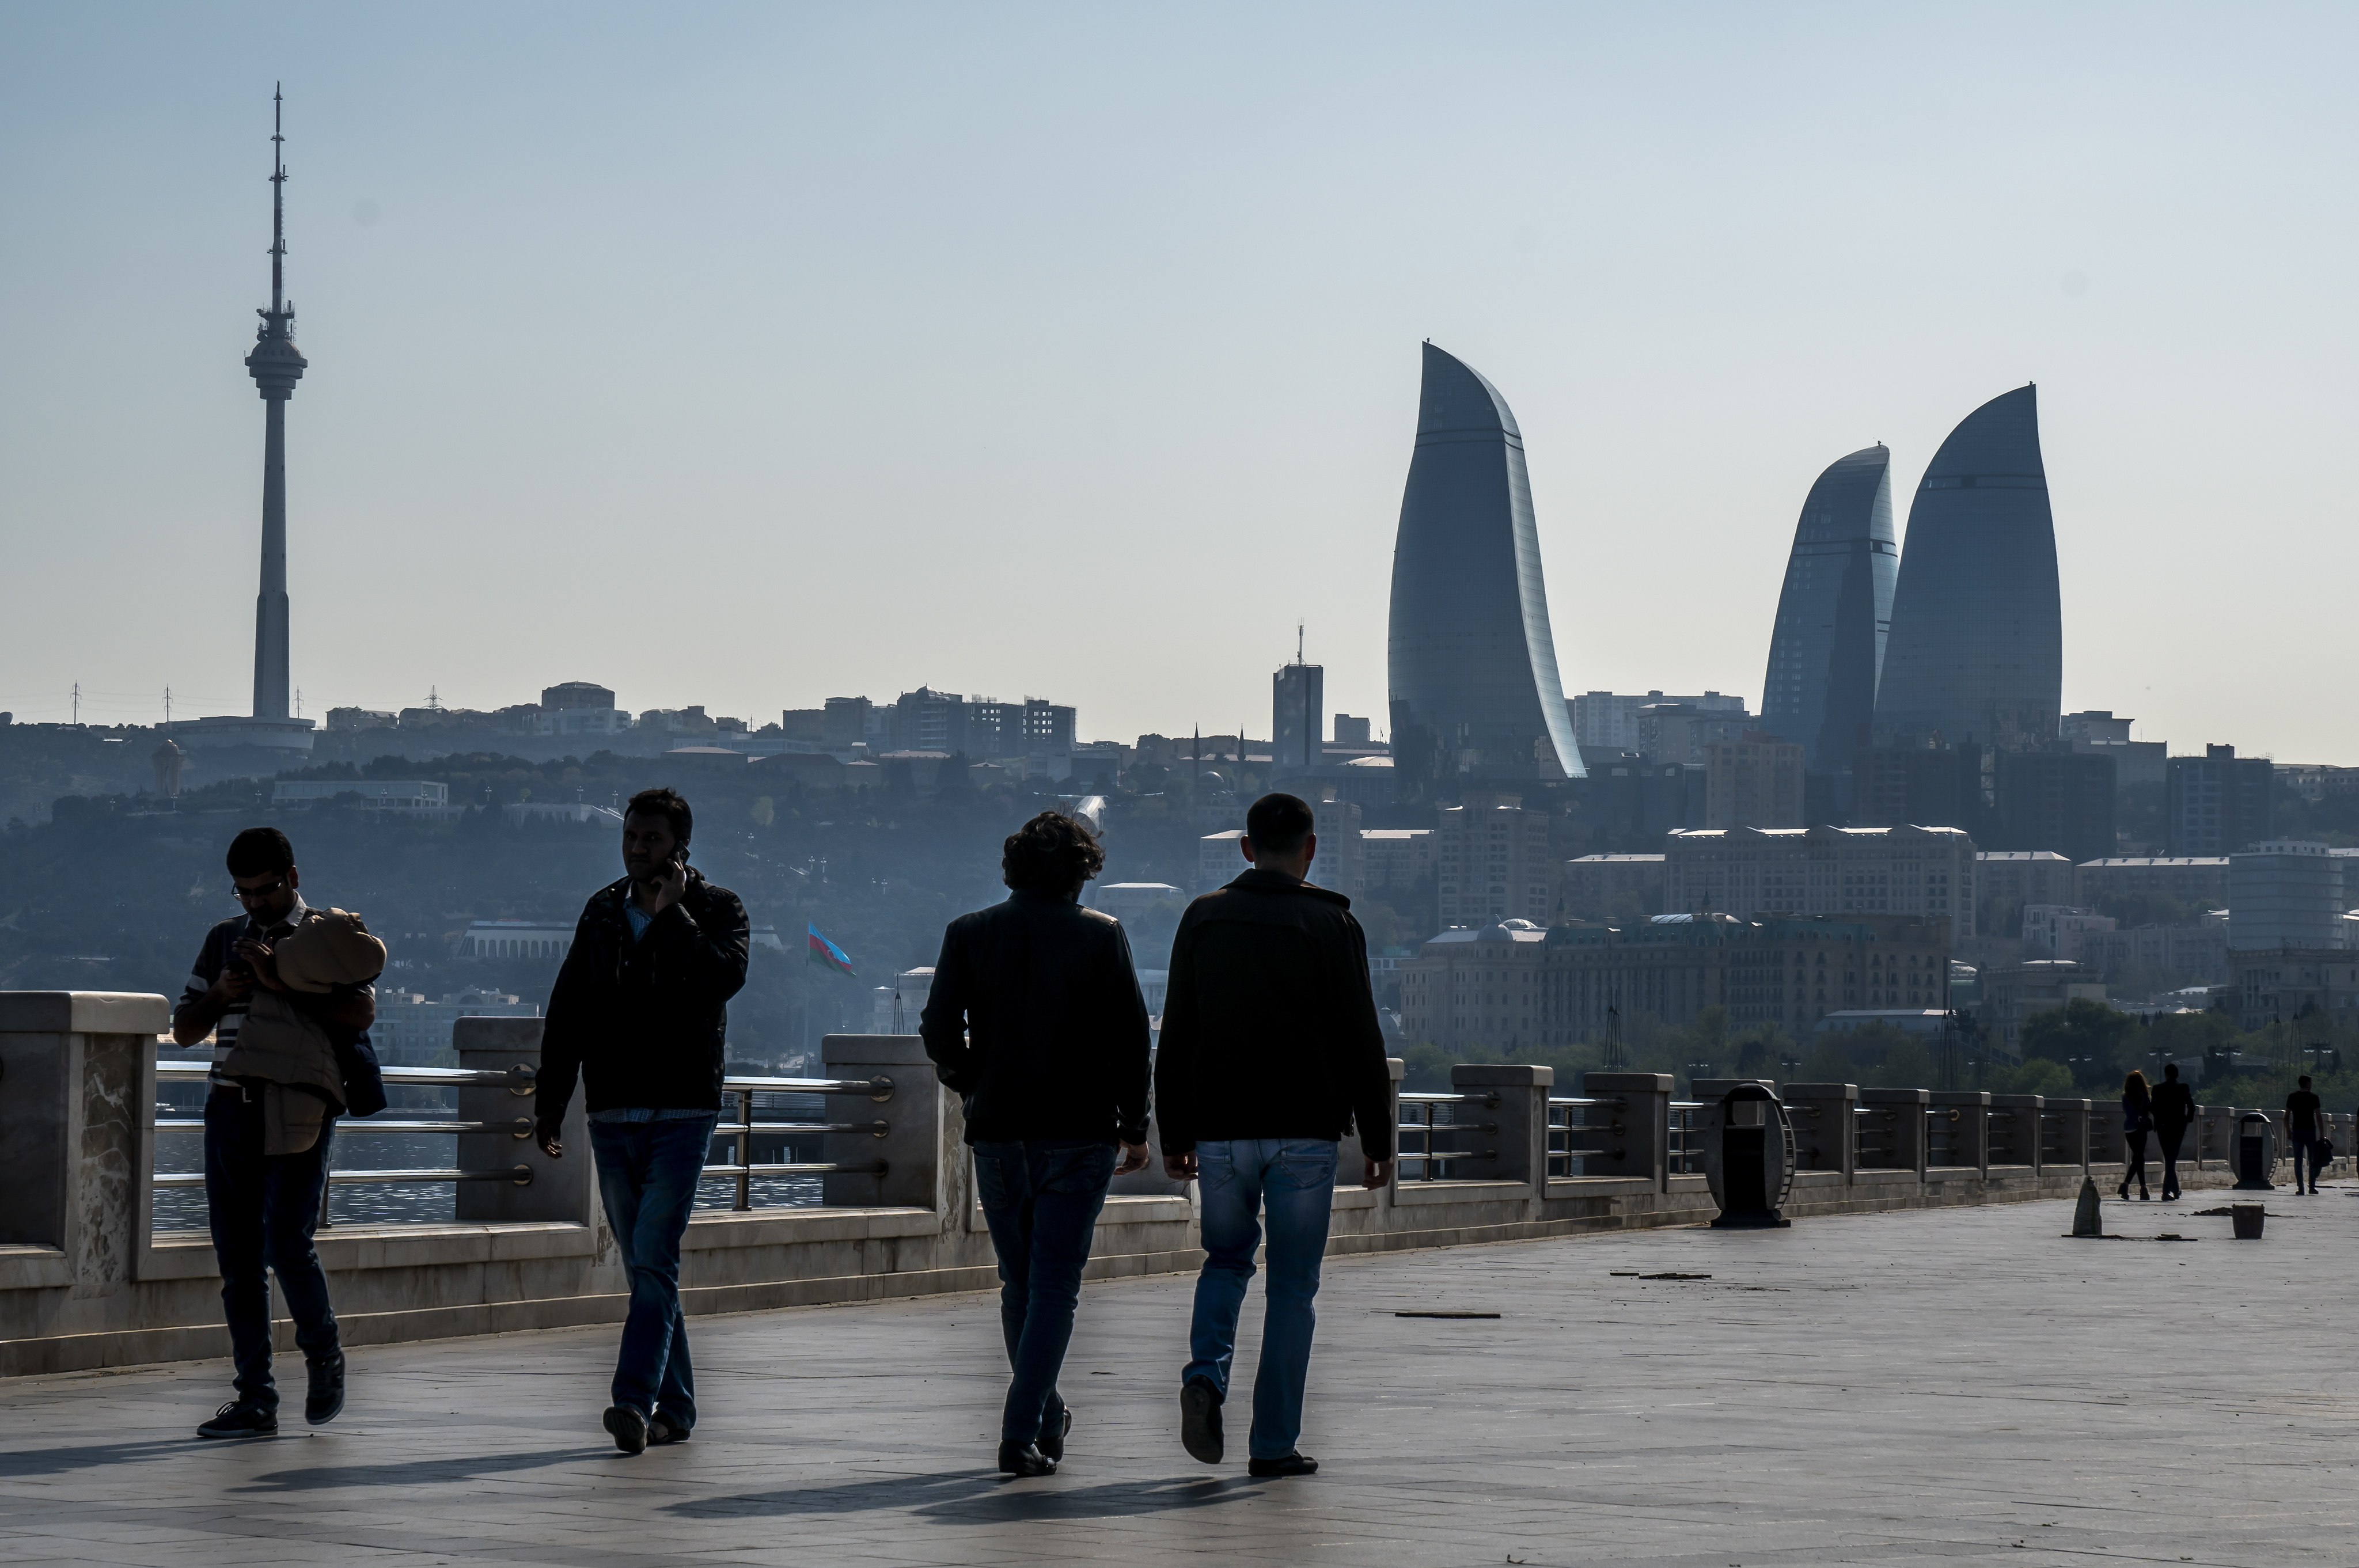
(645, 1020)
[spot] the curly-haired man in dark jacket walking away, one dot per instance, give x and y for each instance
(1037, 1022)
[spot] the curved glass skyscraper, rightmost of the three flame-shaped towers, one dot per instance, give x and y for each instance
(1978, 624)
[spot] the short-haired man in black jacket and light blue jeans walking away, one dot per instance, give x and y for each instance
(1270, 1055)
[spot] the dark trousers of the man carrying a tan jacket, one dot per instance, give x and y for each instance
(263, 1211)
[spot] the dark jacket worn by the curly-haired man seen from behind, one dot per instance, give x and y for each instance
(1037, 1022)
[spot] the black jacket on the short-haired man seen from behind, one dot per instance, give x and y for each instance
(1270, 1027)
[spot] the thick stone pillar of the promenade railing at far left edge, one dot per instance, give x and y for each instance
(77, 1128)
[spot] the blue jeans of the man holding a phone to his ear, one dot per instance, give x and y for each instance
(648, 1178)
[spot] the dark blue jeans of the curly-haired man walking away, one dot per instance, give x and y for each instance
(1041, 1204)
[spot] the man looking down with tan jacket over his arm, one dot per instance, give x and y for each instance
(287, 1062)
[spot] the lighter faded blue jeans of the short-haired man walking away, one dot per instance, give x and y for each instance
(1294, 1180)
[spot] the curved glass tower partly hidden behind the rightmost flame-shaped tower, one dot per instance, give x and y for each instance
(1834, 614)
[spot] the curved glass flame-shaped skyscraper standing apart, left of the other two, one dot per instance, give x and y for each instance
(1473, 664)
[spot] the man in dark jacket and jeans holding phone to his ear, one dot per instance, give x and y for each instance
(640, 1010)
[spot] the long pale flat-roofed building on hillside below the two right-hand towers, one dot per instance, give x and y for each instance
(1822, 871)
